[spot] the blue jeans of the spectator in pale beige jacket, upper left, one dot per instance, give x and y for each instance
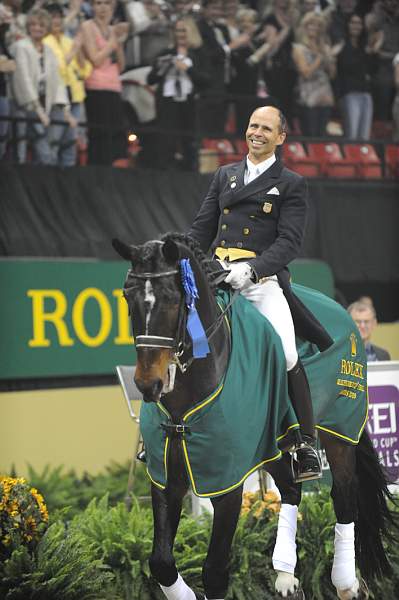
(36, 134)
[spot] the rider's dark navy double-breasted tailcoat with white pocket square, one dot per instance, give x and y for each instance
(267, 216)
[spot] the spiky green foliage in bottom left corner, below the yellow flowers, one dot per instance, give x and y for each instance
(61, 568)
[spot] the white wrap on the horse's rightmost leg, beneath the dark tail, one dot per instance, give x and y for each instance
(343, 573)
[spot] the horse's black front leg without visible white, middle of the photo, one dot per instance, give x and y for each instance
(215, 572)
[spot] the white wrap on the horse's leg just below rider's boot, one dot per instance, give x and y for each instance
(284, 554)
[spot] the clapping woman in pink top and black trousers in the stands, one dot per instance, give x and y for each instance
(102, 43)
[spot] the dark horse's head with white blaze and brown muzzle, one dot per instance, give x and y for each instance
(153, 292)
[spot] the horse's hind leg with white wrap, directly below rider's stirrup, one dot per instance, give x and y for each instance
(284, 554)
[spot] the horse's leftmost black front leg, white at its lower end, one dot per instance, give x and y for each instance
(167, 505)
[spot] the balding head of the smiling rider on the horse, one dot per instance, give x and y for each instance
(264, 133)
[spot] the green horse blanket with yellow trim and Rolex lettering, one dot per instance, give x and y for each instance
(239, 427)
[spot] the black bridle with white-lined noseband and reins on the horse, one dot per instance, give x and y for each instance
(179, 343)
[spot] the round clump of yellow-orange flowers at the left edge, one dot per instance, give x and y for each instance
(23, 515)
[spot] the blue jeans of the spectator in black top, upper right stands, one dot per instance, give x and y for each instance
(357, 108)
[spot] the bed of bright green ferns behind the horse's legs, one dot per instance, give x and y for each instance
(102, 551)
